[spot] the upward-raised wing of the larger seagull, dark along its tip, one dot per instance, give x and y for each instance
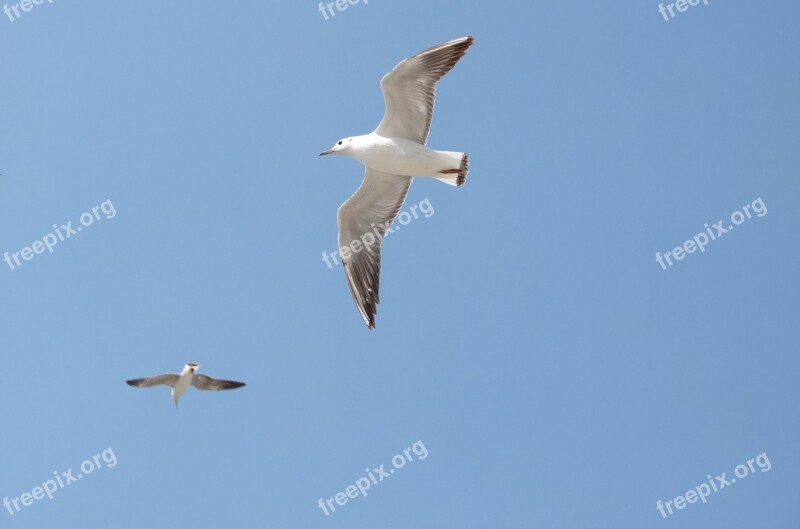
(410, 89)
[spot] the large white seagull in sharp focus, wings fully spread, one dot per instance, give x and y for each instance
(392, 155)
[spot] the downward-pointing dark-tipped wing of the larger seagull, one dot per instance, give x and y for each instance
(365, 217)
